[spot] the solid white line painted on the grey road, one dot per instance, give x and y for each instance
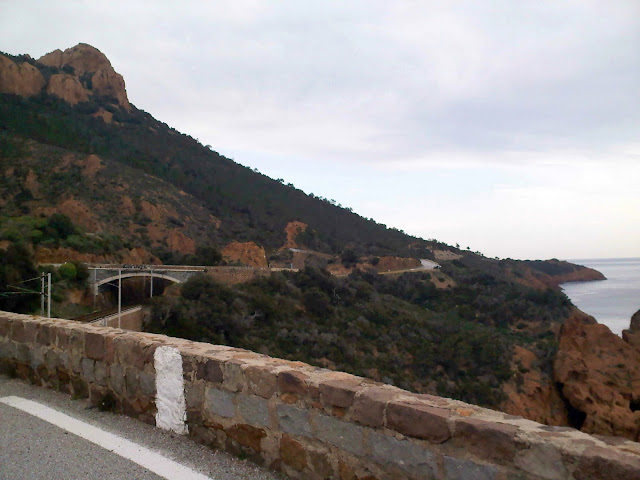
(144, 457)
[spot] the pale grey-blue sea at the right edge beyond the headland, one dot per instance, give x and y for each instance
(612, 301)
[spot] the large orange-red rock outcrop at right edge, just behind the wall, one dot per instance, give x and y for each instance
(599, 375)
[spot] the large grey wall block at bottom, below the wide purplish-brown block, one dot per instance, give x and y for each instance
(414, 459)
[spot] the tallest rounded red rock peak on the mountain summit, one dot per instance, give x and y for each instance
(83, 59)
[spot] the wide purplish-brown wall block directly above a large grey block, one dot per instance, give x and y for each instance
(419, 421)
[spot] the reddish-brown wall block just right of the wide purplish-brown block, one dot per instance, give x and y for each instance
(488, 440)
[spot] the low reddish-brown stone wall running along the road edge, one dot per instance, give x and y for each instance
(308, 422)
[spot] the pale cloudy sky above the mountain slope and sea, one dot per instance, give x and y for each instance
(511, 128)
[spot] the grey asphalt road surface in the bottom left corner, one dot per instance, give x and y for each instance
(33, 448)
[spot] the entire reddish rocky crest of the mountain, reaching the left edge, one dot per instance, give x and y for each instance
(85, 71)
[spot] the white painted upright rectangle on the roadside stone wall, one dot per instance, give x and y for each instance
(170, 402)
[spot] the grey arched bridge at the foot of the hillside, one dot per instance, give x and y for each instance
(101, 274)
